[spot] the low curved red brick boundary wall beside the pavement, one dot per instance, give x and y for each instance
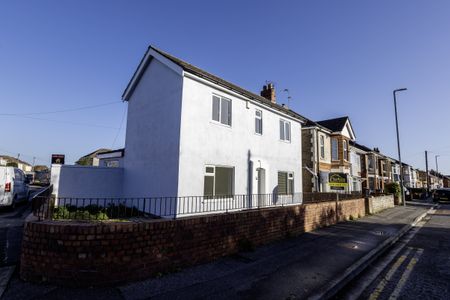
(107, 253)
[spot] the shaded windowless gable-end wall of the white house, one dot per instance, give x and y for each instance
(153, 134)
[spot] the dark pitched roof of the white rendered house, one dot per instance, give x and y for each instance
(208, 76)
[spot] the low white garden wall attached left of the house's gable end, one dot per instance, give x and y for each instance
(86, 181)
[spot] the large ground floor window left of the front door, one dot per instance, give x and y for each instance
(218, 181)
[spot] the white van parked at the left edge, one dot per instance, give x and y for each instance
(13, 186)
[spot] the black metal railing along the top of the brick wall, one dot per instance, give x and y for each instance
(64, 208)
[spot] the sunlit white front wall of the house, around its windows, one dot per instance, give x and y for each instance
(204, 142)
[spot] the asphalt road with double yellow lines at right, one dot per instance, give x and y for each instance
(421, 270)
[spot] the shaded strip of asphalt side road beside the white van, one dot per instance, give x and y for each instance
(11, 225)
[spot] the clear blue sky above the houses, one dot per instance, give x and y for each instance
(336, 57)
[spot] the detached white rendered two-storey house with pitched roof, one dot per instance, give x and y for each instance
(190, 133)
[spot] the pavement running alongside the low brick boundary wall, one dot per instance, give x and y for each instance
(295, 268)
